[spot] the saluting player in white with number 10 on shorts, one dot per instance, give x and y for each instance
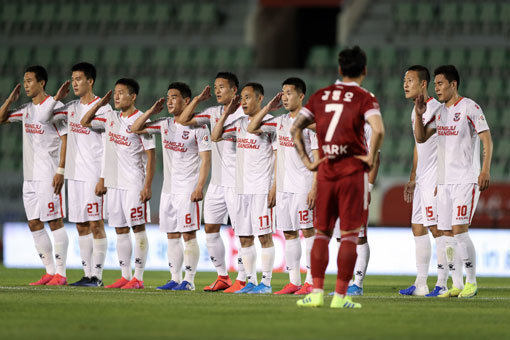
(460, 125)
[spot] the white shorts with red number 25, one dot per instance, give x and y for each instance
(125, 208)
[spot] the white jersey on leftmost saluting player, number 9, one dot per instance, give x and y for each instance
(41, 141)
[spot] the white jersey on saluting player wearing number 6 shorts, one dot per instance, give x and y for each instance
(181, 147)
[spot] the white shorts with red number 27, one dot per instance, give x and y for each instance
(84, 204)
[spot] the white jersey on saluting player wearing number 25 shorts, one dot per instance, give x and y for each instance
(125, 157)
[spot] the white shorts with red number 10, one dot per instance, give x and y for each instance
(456, 204)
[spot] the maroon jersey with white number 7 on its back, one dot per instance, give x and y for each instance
(340, 111)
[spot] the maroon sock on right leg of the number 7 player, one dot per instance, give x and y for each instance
(346, 260)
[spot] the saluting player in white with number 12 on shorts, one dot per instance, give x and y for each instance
(296, 185)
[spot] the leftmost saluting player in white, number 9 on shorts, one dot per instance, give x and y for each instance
(43, 172)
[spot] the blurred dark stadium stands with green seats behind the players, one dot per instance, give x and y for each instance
(157, 42)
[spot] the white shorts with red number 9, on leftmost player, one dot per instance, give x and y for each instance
(41, 203)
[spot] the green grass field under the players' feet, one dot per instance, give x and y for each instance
(96, 313)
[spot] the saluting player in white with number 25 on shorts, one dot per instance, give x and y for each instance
(128, 172)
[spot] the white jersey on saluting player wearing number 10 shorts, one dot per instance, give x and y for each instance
(458, 146)
